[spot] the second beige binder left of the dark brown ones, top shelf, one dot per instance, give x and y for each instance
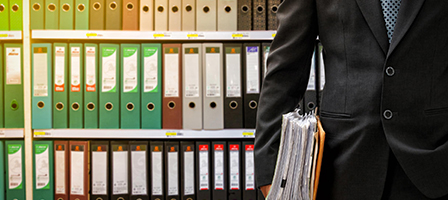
(206, 15)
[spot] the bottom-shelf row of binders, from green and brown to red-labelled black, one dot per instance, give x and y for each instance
(203, 170)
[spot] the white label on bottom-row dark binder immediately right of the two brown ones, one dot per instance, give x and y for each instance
(99, 173)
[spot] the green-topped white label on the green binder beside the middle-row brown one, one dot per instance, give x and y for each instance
(151, 69)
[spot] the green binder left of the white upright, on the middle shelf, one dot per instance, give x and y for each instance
(13, 80)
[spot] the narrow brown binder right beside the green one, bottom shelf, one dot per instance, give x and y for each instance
(61, 175)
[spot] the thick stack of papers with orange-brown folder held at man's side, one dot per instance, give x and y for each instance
(299, 158)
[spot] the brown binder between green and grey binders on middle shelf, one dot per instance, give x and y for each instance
(172, 87)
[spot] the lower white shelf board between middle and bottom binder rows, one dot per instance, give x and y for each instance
(144, 134)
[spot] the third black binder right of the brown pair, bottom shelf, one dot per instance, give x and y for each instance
(139, 170)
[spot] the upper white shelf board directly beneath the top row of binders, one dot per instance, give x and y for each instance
(152, 35)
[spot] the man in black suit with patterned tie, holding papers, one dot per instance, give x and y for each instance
(385, 102)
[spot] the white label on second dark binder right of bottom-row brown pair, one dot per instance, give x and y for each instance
(120, 172)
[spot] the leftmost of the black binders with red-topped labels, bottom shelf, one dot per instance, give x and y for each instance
(203, 170)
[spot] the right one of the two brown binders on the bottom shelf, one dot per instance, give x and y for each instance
(79, 166)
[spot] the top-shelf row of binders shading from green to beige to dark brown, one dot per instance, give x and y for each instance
(154, 15)
